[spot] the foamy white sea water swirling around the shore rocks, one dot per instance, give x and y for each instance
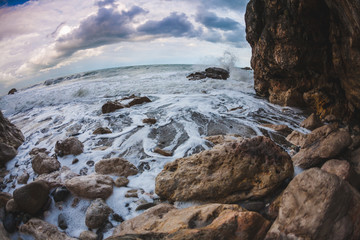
(186, 112)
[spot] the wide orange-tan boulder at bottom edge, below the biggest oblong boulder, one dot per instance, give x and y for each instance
(211, 221)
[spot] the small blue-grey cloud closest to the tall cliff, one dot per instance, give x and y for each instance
(211, 20)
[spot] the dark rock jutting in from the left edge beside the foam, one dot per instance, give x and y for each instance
(10, 139)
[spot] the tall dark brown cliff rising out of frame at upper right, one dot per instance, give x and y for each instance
(306, 52)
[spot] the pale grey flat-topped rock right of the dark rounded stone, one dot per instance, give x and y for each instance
(91, 186)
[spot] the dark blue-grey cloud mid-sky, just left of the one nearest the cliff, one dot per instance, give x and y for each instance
(175, 25)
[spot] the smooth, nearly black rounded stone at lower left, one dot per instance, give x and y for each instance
(36, 195)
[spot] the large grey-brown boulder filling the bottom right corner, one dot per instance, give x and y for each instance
(317, 205)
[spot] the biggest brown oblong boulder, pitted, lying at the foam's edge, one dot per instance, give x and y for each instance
(228, 173)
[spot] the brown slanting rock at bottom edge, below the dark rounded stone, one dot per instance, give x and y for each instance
(42, 230)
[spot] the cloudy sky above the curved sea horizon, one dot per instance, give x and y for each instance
(41, 39)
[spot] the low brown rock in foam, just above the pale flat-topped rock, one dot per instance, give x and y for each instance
(115, 166)
